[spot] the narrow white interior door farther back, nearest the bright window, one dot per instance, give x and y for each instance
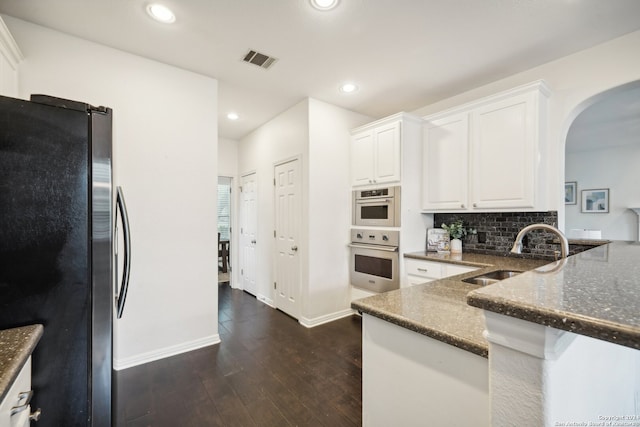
(248, 228)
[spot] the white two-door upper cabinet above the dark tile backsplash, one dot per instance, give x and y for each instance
(488, 155)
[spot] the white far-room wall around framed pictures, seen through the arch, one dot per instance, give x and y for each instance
(615, 168)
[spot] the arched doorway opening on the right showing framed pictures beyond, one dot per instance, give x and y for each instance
(602, 154)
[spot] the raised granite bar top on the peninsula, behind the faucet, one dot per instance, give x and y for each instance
(594, 293)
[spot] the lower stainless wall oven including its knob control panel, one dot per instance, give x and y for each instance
(374, 259)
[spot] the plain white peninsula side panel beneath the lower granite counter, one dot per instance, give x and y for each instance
(411, 380)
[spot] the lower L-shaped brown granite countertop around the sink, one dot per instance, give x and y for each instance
(439, 309)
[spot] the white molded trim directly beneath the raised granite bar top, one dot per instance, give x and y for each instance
(540, 341)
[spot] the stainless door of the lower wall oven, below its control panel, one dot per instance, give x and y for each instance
(374, 268)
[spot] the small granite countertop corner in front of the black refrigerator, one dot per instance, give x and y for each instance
(16, 345)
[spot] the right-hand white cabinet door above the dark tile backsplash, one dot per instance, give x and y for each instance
(504, 153)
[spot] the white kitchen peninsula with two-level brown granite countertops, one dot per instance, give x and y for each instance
(562, 343)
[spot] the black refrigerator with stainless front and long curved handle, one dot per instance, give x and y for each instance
(58, 215)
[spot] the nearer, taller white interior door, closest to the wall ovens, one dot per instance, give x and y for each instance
(287, 227)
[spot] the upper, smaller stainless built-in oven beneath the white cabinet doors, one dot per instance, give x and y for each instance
(378, 207)
